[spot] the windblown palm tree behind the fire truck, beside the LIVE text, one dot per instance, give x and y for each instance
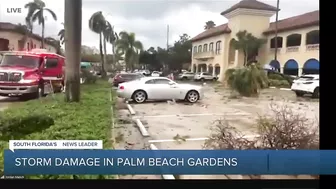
(36, 12)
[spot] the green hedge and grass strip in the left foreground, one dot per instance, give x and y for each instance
(90, 119)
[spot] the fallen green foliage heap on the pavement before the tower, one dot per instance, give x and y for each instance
(246, 81)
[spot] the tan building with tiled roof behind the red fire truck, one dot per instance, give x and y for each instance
(11, 37)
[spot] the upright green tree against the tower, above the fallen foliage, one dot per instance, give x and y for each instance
(249, 44)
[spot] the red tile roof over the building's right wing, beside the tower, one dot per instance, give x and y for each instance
(296, 22)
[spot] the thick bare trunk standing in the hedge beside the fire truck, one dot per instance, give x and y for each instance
(73, 40)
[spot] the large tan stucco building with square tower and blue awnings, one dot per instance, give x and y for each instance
(297, 41)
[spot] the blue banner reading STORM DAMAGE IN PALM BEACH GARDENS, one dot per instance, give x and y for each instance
(26, 162)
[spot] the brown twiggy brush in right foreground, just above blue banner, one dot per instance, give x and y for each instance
(282, 129)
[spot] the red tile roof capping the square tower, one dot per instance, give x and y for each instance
(250, 4)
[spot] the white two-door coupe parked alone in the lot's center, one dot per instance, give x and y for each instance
(159, 88)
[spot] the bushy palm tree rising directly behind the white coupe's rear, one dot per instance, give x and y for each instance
(131, 48)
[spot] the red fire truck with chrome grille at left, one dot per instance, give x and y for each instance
(31, 74)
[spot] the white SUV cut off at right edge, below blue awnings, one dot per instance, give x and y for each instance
(307, 84)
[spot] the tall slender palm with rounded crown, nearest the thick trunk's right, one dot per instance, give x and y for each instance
(97, 24)
